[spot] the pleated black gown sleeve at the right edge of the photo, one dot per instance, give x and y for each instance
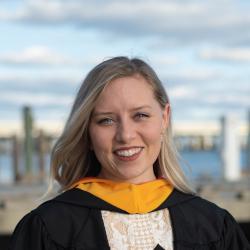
(232, 235)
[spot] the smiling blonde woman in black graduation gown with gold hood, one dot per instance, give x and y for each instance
(122, 185)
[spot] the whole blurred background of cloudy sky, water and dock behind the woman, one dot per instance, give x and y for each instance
(200, 50)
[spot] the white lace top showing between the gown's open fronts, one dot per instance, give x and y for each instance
(138, 231)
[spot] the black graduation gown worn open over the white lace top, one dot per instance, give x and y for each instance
(73, 221)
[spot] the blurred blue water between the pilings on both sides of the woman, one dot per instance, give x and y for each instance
(196, 164)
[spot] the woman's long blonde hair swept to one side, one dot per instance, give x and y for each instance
(72, 158)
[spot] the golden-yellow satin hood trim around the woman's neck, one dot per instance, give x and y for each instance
(132, 198)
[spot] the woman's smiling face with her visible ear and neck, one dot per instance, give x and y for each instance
(125, 130)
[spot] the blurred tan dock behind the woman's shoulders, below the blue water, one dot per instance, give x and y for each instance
(18, 200)
